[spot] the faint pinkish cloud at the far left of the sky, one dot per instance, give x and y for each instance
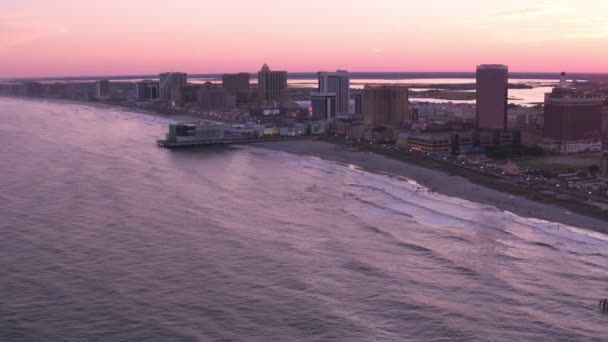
(17, 29)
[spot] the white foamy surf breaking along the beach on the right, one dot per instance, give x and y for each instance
(407, 196)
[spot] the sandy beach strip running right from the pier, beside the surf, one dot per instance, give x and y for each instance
(443, 183)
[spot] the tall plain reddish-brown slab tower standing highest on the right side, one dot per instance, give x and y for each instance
(492, 96)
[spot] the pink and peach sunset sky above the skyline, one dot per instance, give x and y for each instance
(110, 37)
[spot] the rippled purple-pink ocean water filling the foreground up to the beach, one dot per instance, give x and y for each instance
(106, 237)
